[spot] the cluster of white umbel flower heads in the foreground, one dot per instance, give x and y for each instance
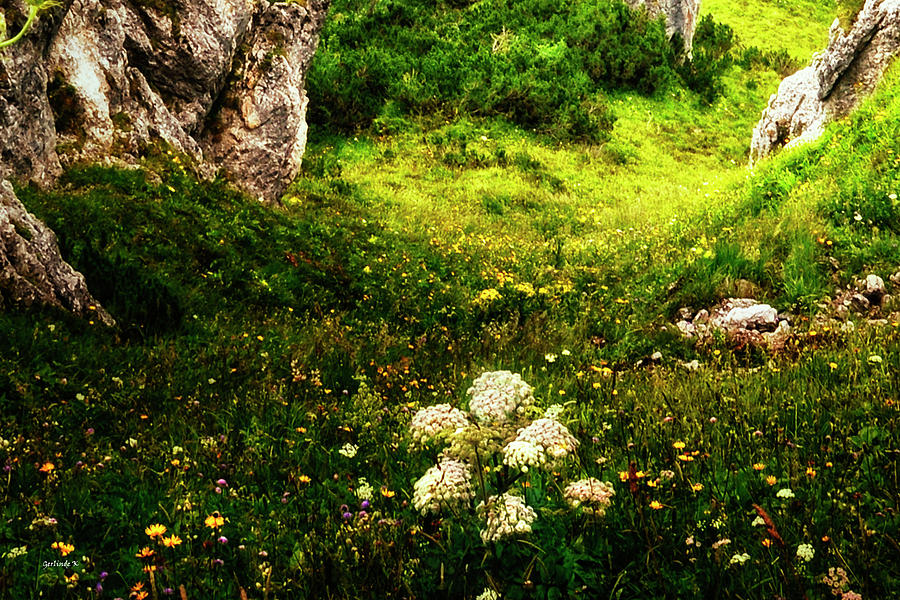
(491, 449)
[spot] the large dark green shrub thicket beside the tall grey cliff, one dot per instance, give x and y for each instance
(541, 65)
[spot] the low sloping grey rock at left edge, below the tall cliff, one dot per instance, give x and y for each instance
(32, 272)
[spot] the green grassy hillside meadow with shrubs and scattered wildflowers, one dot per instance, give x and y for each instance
(256, 399)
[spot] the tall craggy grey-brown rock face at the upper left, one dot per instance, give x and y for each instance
(219, 80)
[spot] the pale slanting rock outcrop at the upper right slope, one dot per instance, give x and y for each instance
(834, 83)
